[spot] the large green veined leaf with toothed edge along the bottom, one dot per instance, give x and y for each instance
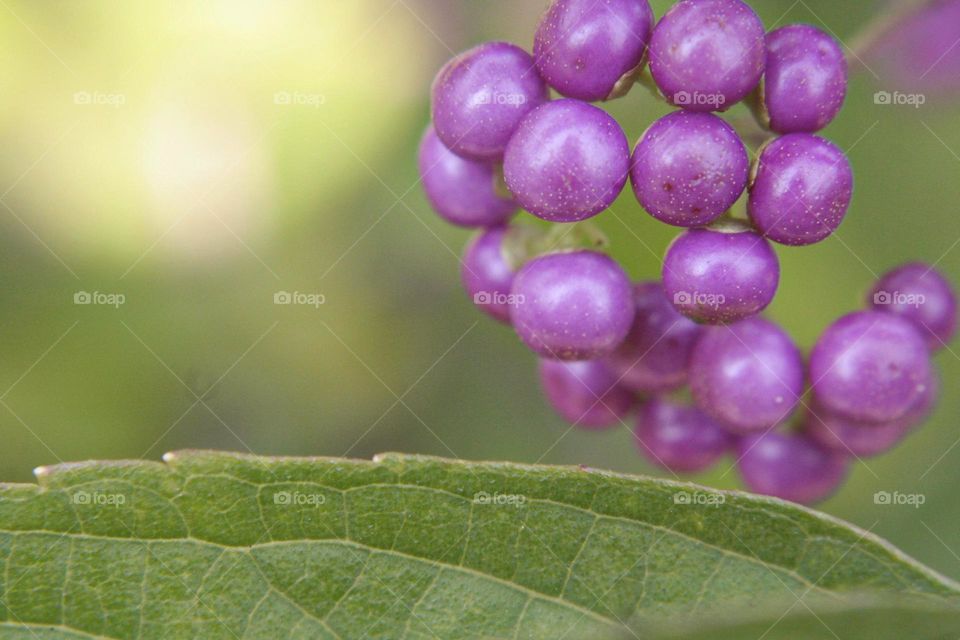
(216, 545)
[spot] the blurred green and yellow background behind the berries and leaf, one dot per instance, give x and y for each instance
(198, 158)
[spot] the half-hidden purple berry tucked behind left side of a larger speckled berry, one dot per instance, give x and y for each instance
(485, 274)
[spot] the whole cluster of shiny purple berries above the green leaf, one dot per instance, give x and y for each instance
(499, 142)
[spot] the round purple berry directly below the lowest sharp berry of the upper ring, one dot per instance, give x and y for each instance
(748, 375)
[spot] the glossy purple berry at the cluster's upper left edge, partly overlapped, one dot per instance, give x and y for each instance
(480, 97)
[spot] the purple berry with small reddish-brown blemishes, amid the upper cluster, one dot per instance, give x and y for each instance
(689, 168)
